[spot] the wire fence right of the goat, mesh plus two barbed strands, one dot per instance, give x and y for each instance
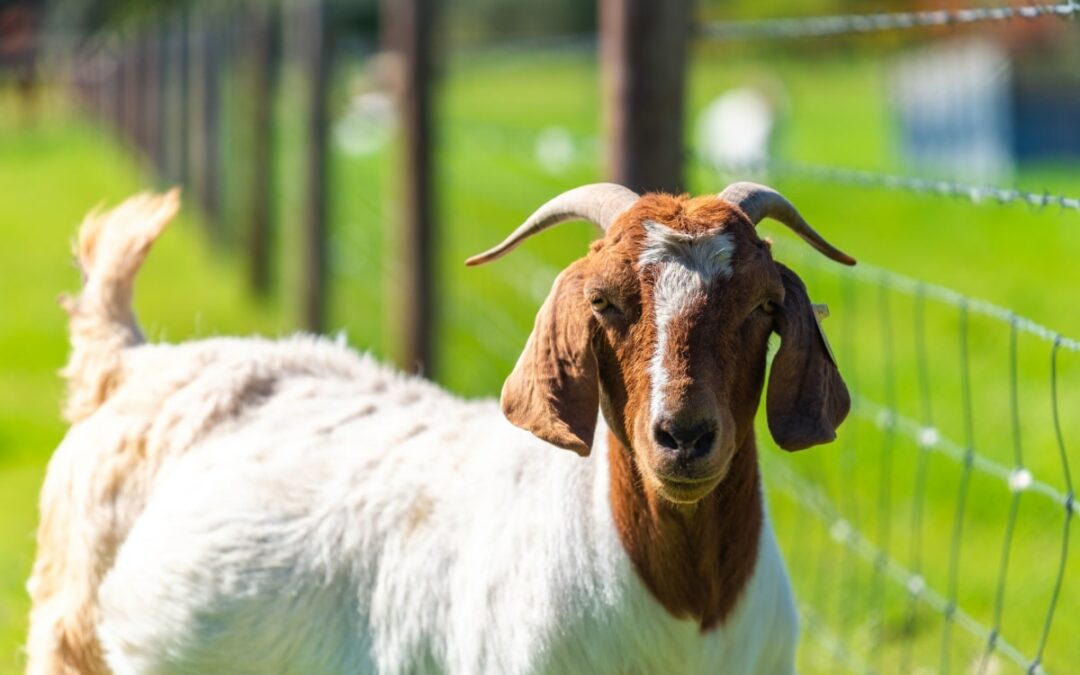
(899, 580)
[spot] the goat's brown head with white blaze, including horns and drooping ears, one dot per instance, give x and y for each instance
(665, 326)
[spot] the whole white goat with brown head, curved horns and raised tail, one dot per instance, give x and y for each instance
(291, 507)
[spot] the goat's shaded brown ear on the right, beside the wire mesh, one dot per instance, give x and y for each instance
(807, 399)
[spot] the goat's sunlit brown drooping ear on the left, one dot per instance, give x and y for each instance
(553, 390)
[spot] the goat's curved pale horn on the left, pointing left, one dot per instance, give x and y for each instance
(600, 204)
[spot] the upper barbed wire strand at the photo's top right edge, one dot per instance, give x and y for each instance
(861, 24)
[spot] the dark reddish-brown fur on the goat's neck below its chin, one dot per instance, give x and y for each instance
(696, 560)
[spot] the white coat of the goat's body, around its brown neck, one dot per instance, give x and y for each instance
(330, 516)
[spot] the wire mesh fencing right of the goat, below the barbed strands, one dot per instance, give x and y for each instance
(841, 521)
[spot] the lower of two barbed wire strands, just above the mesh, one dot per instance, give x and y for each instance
(978, 195)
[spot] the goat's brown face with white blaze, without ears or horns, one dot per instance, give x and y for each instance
(682, 295)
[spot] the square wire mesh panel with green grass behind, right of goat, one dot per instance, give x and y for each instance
(974, 636)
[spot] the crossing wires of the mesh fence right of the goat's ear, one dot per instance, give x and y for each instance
(846, 531)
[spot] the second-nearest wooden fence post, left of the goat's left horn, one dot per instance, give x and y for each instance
(409, 26)
